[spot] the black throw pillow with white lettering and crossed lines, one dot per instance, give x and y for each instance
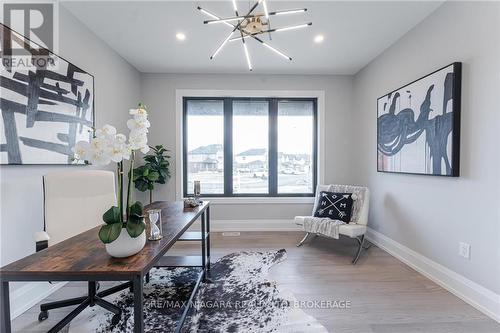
(337, 206)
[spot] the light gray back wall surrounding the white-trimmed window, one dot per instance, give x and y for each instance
(159, 96)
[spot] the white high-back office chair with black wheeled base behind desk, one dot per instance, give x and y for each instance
(74, 202)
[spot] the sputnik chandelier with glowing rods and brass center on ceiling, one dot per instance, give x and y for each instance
(252, 25)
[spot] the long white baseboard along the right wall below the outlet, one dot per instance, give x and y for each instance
(483, 299)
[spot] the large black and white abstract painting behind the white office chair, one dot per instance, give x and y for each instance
(44, 111)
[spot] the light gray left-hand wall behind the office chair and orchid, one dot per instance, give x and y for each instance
(117, 87)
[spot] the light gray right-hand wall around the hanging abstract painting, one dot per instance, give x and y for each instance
(431, 215)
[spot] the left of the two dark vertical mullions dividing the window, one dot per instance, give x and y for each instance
(228, 147)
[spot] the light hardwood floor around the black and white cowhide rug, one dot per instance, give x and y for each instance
(386, 296)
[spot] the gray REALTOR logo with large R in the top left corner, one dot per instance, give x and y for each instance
(28, 34)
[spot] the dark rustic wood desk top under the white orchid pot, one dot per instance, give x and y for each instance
(84, 256)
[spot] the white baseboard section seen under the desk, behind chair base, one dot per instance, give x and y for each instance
(26, 296)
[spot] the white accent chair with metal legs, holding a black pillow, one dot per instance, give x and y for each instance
(356, 228)
